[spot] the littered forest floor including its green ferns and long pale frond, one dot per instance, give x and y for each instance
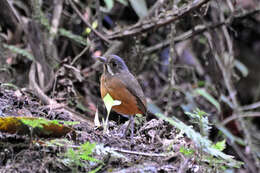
(159, 145)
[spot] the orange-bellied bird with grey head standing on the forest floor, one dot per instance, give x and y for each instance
(121, 85)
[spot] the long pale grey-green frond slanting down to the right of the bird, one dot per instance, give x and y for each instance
(202, 142)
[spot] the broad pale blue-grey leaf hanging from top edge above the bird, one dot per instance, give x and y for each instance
(139, 7)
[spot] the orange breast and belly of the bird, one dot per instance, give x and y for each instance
(118, 91)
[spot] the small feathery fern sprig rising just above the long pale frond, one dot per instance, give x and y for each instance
(200, 117)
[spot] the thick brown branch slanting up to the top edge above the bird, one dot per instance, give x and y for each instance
(161, 20)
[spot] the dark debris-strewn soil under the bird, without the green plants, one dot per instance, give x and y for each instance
(25, 153)
